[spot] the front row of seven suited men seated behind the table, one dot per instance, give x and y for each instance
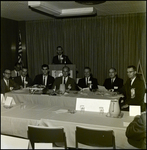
(133, 90)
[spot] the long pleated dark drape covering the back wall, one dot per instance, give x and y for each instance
(97, 42)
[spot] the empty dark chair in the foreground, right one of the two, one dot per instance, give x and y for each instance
(94, 137)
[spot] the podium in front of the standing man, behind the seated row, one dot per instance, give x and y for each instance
(56, 70)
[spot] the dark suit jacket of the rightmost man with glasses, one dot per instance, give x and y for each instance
(139, 87)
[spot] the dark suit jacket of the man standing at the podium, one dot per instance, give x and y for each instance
(65, 59)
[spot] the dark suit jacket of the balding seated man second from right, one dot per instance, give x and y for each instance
(117, 84)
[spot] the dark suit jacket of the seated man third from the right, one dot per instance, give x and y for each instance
(82, 83)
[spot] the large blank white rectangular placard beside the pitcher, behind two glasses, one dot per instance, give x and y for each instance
(93, 105)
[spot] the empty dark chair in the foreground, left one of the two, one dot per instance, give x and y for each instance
(38, 134)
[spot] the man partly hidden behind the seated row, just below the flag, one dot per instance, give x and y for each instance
(16, 71)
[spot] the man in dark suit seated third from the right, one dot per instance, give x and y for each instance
(88, 80)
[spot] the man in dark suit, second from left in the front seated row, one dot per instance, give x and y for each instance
(23, 80)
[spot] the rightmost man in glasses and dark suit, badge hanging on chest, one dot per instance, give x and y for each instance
(133, 90)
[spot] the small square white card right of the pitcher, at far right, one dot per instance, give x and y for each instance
(134, 110)
